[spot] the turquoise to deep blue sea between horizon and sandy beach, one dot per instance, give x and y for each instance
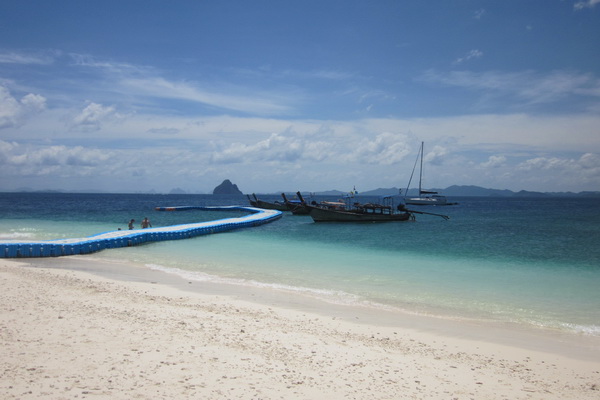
(530, 261)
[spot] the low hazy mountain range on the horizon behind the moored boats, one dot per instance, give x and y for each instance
(466, 191)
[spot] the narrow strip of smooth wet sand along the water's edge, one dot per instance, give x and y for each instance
(564, 343)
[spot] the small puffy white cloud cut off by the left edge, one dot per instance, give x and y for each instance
(14, 112)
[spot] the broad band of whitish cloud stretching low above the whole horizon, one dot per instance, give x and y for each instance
(273, 154)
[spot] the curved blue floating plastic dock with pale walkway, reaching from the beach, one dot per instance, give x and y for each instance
(116, 239)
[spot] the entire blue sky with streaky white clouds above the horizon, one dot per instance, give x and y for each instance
(128, 96)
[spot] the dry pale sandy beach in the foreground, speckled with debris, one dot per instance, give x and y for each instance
(72, 334)
